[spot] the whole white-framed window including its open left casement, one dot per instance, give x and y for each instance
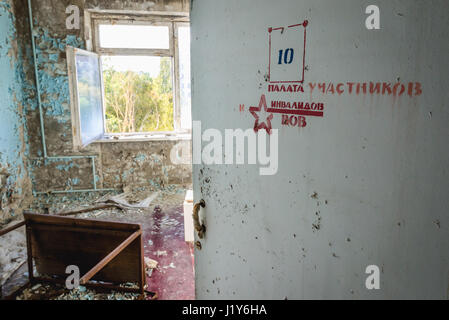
(135, 84)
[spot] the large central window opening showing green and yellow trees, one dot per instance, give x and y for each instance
(138, 93)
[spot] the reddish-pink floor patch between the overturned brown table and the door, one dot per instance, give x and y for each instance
(163, 239)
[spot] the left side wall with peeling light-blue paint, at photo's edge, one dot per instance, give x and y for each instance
(14, 100)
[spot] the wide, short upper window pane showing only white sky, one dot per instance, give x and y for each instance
(134, 36)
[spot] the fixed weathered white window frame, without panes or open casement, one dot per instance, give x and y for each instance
(173, 22)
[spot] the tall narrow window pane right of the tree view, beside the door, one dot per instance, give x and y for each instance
(184, 74)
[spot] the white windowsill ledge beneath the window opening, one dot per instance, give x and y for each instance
(142, 137)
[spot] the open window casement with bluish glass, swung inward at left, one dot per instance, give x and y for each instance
(86, 95)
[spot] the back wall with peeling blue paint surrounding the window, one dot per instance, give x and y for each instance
(117, 164)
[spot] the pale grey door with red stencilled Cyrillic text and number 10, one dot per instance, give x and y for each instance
(355, 206)
